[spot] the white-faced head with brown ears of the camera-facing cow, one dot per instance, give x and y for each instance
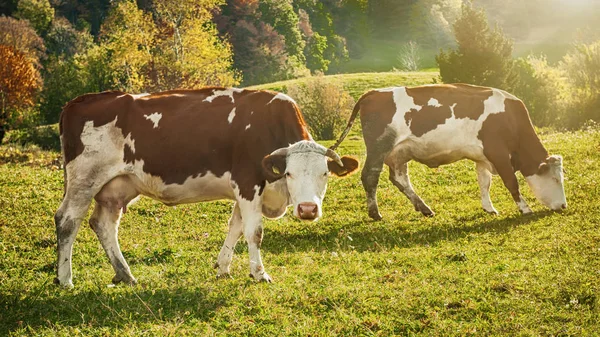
(305, 167)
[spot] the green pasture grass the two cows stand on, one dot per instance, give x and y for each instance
(462, 272)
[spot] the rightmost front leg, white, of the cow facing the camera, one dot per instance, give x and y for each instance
(251, 212)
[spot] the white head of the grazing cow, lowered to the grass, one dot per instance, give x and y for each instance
(547, 183)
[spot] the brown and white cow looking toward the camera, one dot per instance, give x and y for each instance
(178, 147)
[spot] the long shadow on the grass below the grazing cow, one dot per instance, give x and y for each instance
(374, 236)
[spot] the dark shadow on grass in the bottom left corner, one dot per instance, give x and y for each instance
(51, 306)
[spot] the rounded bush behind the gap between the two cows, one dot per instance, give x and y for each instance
(325, 106)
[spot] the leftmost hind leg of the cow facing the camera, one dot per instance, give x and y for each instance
(67, 220)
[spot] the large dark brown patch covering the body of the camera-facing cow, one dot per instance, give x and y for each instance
(193, 136)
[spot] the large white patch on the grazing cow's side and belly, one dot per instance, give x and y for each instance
(443, 144)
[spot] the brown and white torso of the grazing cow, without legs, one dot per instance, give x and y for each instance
(438, 124)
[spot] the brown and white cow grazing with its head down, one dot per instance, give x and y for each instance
(440, 124)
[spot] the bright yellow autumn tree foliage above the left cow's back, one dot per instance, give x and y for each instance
(178, 48)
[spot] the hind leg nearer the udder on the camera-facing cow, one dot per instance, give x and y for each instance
(105, 223)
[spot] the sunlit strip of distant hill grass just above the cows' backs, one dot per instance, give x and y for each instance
(357, 84)
